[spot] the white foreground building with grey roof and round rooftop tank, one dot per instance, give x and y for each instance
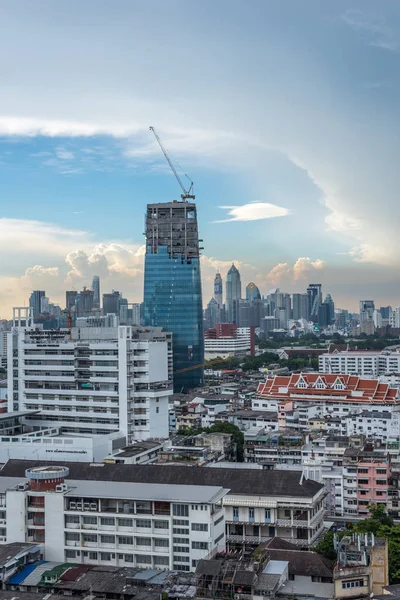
(112, 523)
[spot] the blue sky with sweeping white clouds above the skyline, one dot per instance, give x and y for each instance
(283, 113)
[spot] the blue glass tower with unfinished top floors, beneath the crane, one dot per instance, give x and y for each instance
(172, 286)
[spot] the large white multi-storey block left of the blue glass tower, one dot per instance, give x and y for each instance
(91, 381)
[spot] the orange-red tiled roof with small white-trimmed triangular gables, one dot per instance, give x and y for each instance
(355, 388)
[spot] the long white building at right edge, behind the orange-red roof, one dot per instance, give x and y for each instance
(366, 363)
